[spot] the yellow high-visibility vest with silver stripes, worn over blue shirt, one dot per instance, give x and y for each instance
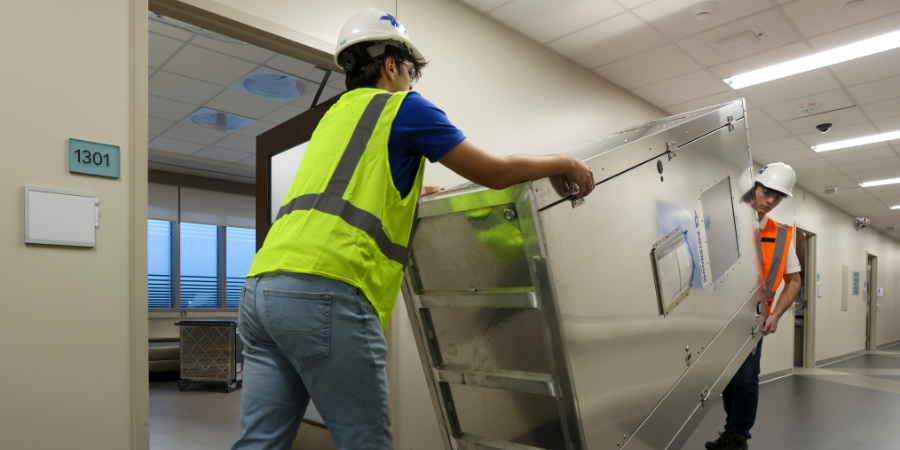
(343, 218)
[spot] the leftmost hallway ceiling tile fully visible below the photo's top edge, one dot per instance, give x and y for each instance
(607, 41)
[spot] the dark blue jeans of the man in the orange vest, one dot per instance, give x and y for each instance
(741, 396)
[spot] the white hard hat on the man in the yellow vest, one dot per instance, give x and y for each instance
(373, 25)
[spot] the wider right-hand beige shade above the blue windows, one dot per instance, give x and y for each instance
(217, 208)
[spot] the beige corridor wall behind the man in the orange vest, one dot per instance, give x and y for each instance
(838, 243)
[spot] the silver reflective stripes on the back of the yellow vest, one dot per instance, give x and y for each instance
(331, 201)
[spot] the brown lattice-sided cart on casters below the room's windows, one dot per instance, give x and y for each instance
(211, 351)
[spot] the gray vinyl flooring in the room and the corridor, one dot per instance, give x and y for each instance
(851, 404)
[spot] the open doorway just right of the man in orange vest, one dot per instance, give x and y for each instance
(804, 305)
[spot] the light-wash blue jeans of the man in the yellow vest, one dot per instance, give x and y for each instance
(311, 337)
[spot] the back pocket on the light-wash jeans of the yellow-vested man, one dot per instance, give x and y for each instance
(298, 312)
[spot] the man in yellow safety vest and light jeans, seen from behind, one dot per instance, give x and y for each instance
(321, 289)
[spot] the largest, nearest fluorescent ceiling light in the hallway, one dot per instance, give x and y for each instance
(859, 49)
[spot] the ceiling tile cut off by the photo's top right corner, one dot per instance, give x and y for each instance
(816, 17)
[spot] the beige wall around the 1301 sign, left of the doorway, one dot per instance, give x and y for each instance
(67, 331)
